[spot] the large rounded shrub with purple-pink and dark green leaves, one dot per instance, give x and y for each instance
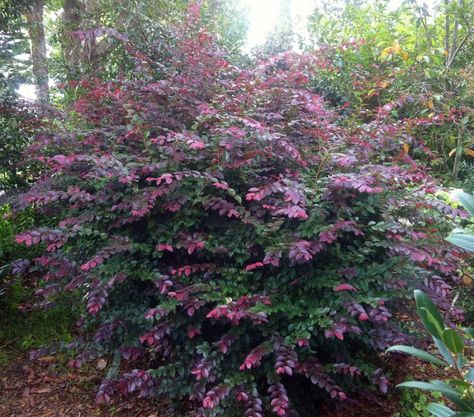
(236, 247)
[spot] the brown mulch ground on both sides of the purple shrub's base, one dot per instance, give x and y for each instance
(49, 389)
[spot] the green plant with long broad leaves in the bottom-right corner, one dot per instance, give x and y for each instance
(452, 347)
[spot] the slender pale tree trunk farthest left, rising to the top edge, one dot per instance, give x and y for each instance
(39, 60)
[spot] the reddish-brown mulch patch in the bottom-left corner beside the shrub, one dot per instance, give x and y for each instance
(49, 389)
